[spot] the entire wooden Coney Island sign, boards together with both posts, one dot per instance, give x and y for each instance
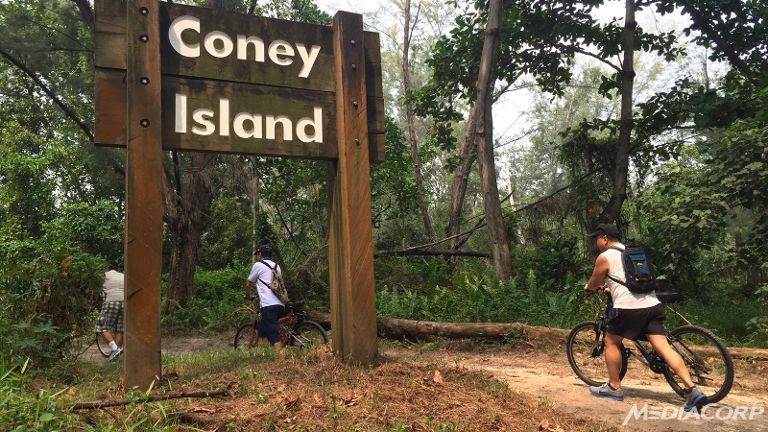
(177, 77)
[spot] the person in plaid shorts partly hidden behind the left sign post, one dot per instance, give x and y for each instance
(111, 316)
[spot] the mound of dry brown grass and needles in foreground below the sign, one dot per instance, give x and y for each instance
(314, 392)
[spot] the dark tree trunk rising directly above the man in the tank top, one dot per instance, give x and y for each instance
(621, 162)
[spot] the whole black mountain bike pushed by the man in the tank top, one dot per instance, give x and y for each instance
(706, 357)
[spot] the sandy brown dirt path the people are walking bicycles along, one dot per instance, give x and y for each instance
(544, 373)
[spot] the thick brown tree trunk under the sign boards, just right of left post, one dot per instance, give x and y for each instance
(186, 214)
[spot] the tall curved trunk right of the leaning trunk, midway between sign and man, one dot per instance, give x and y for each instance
(483, 111)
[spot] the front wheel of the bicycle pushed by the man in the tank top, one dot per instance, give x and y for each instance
(585, 347)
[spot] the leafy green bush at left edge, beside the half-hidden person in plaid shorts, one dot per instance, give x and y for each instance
(46, 291)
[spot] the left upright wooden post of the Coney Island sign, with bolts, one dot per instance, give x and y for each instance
(144, 206)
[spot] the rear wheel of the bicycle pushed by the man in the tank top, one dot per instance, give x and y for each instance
(707, 360)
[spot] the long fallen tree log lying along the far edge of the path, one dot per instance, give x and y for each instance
(401, 328)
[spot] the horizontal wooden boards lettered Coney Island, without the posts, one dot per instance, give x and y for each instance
(274, 79)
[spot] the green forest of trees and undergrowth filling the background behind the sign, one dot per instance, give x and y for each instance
(655, 119)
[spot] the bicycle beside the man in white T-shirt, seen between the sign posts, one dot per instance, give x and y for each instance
(295, 329)
